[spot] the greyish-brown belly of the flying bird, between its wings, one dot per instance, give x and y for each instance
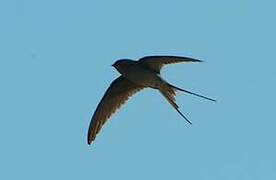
(144, 78)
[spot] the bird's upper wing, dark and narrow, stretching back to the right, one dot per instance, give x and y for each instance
(156, 63)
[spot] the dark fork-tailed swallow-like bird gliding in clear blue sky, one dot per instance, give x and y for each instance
(135, 76)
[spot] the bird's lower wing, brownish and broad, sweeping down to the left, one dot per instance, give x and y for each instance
(116, 95)
